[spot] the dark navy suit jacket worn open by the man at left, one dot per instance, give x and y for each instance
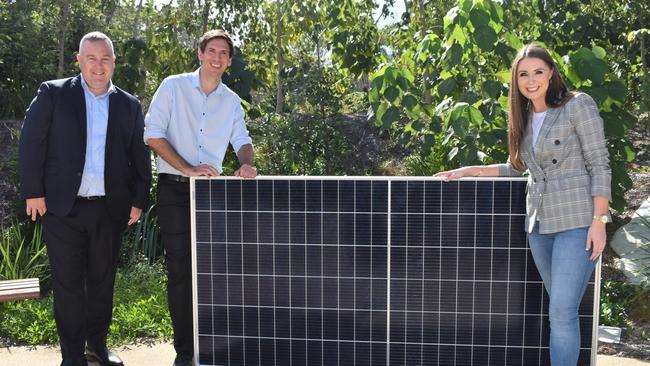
(53, 149)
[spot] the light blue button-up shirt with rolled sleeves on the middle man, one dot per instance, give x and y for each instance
(198, 126)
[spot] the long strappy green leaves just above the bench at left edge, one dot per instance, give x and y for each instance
(23, 253)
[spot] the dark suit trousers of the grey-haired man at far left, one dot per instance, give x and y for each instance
(83, 249)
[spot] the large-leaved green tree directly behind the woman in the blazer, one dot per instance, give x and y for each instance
(462, 106)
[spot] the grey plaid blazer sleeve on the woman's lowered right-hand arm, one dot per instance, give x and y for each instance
(590, 130)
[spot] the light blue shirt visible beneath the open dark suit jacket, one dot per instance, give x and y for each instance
(92, 179)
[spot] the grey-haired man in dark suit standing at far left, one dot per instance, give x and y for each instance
(85, 170)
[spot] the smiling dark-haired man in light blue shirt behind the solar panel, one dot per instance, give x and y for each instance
(191, 120)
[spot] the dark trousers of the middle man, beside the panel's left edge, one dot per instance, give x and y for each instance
(174, 218)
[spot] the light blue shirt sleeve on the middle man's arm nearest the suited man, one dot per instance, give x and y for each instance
(159, 114)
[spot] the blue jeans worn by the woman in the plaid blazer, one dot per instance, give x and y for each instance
(565, 268)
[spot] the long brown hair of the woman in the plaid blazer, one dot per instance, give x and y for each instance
(556, 96)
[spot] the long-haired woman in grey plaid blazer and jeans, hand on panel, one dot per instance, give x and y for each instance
(558, 137)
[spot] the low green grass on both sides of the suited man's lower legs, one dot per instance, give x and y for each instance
(139, 311)
